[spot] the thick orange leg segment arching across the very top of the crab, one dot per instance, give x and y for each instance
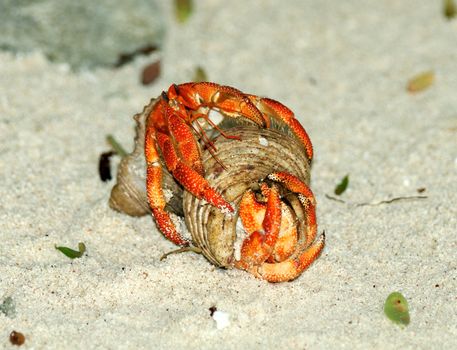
(228, 100)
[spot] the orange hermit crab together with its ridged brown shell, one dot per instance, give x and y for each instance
(240, 184)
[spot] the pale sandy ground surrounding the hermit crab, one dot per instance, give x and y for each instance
(342, 66)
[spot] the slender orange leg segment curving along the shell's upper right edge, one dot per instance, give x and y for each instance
(278, 110)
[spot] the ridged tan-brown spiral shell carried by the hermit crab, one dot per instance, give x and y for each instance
(239, 165)
